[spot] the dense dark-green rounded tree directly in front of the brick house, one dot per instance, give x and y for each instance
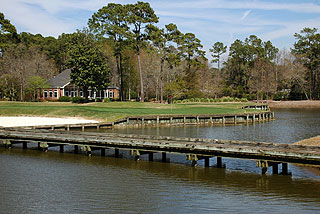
(88, 64)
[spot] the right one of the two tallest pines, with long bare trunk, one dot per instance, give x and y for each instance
(140, 15)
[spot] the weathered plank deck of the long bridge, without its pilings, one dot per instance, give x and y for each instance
(210, 147)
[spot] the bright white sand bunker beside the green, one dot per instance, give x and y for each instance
(39, 121)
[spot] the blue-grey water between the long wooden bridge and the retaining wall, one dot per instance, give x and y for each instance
(290, 126)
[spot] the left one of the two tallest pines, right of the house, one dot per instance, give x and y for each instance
(112, 21)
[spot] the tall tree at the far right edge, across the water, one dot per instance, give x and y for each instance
(308, 49)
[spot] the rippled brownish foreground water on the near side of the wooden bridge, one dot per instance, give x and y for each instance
(76, 183)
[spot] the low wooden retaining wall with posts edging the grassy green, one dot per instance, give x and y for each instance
(168, 120)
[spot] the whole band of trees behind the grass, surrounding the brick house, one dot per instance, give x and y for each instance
(122, 46)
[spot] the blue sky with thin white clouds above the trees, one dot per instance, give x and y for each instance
(209, 20)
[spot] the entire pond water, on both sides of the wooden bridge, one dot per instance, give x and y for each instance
(37, 182)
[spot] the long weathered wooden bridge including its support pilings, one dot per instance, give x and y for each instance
(266, 154)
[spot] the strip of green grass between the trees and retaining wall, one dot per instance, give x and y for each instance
(115, 110)
